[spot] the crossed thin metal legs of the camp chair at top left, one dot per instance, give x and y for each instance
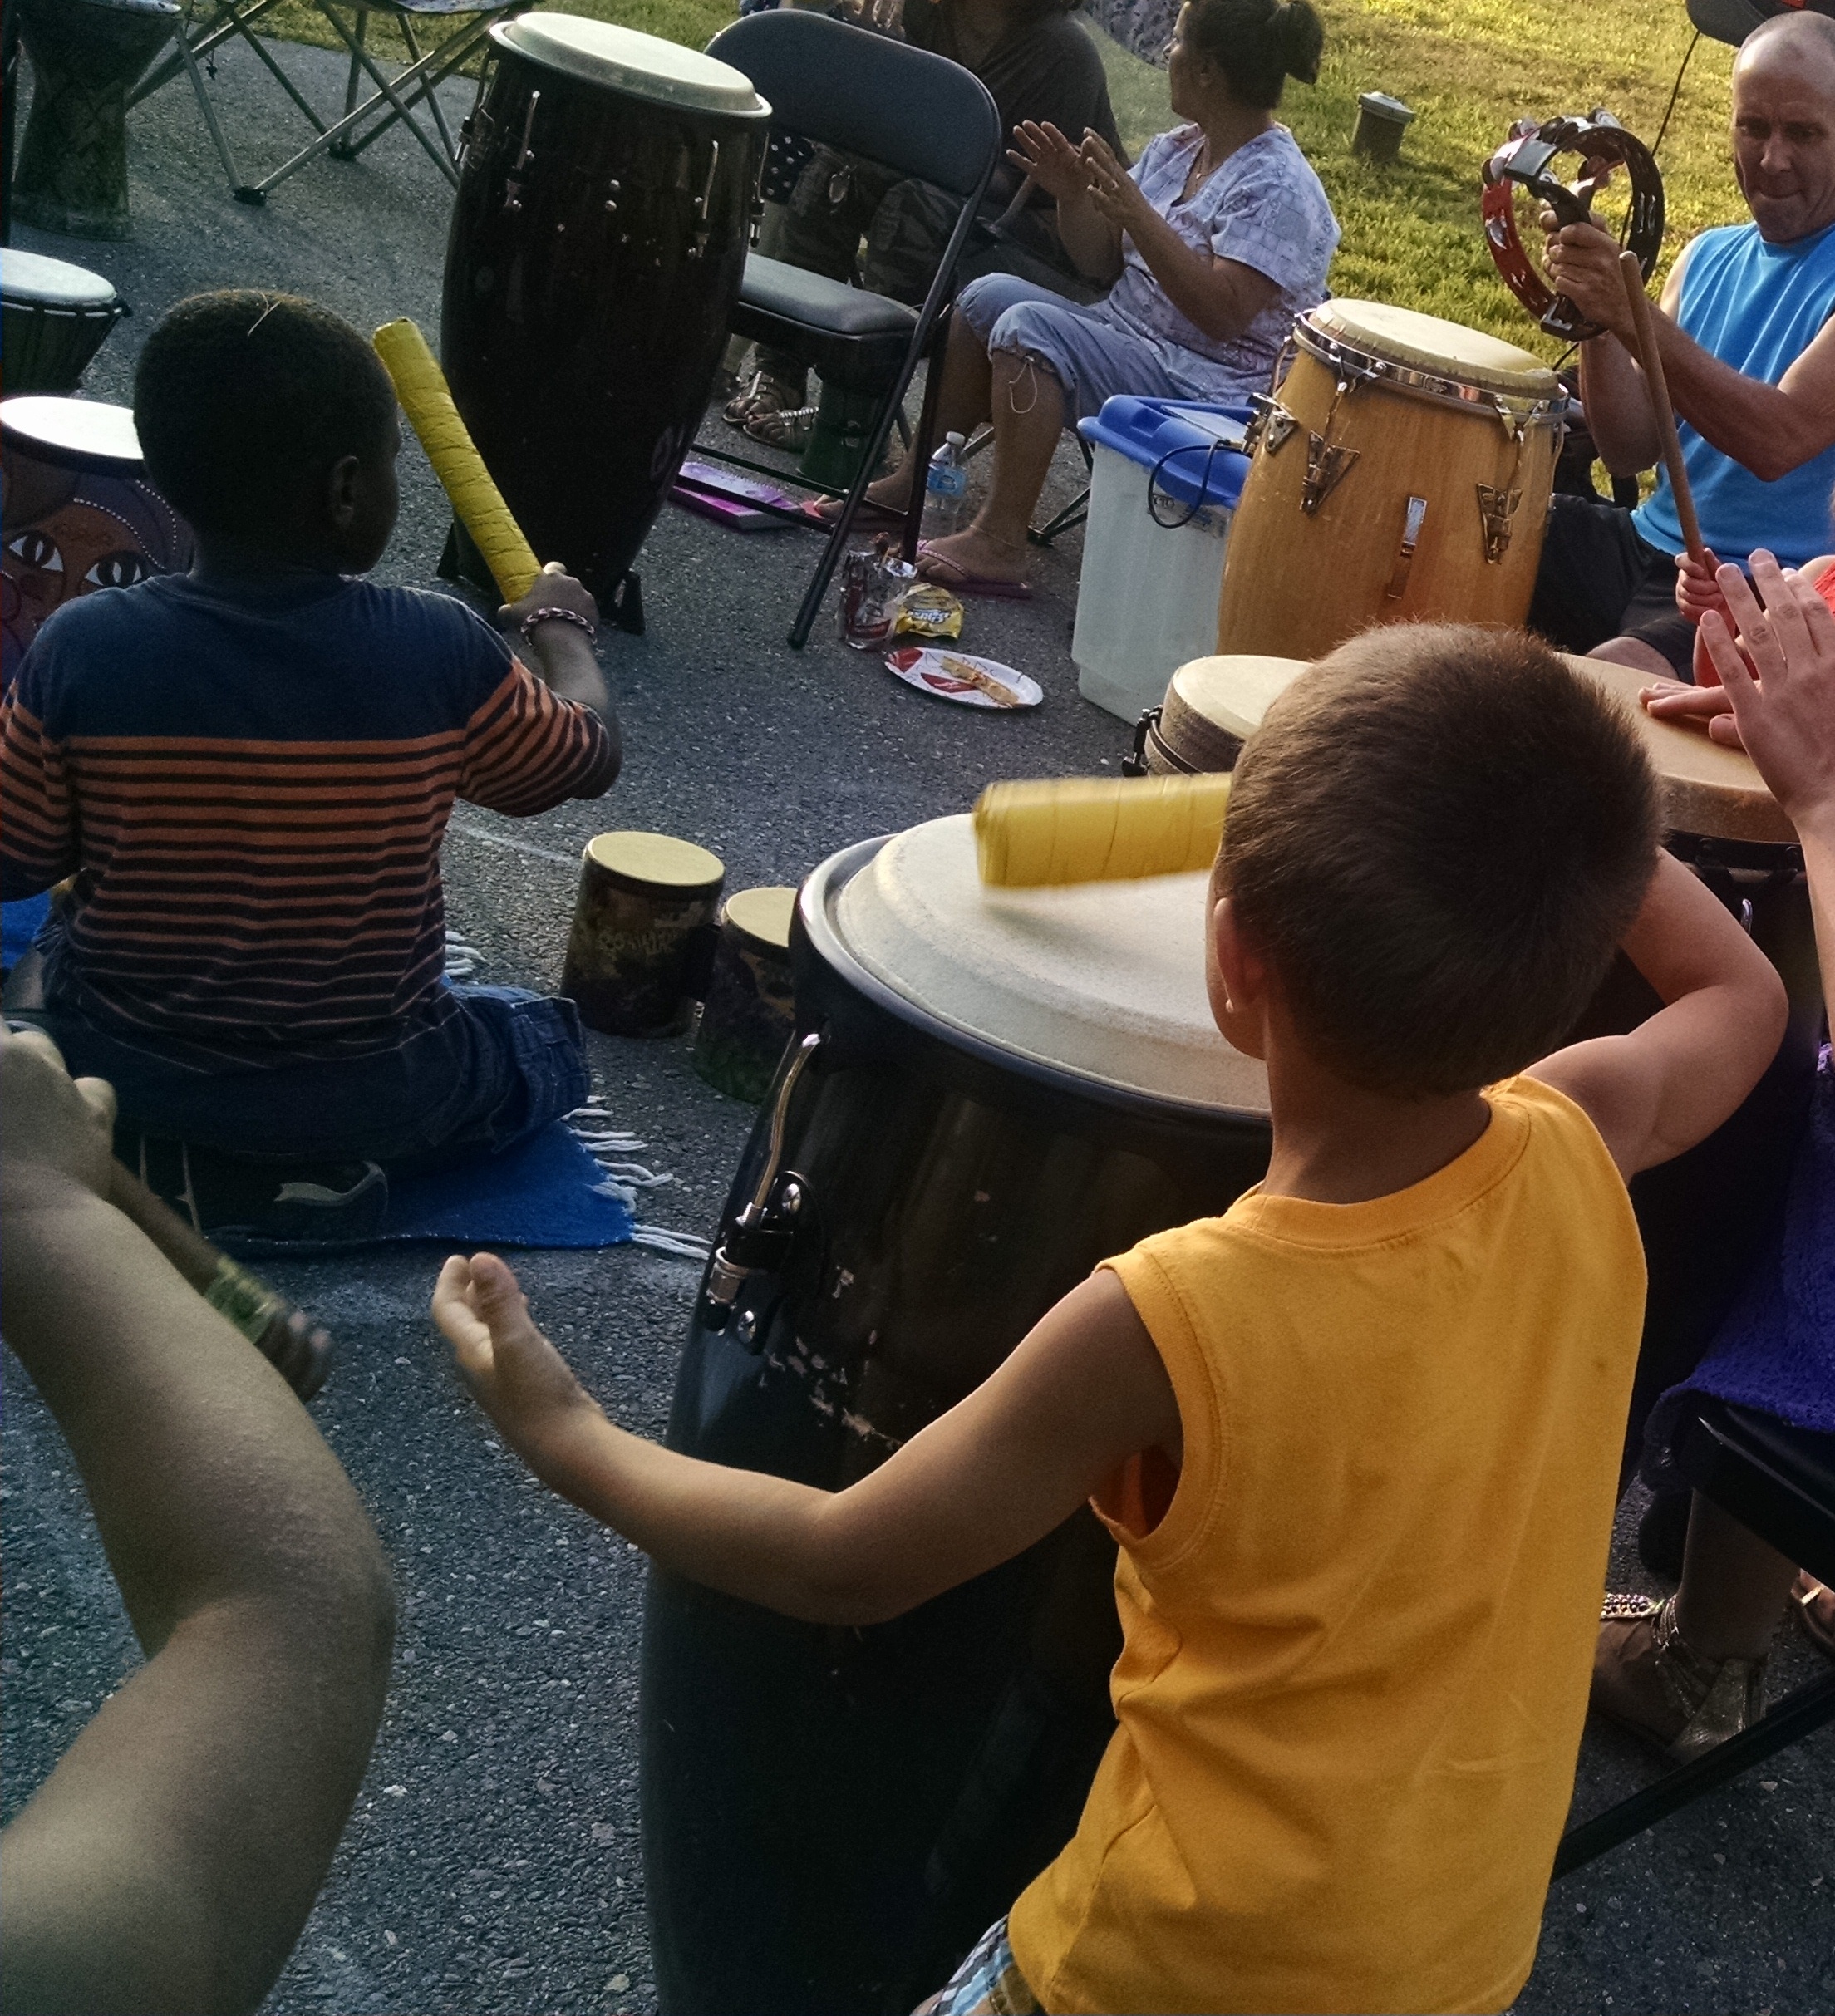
(394, 98)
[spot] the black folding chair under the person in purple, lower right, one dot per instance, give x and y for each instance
(1782, 1483)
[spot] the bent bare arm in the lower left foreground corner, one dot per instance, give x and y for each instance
(170, 1860)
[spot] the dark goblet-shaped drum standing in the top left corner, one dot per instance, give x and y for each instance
(86, 59)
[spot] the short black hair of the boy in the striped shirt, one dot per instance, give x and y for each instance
(245, 400)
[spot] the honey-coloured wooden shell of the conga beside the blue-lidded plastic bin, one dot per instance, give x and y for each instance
(1300, 584)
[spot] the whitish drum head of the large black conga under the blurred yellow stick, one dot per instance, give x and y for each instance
(1098, 979)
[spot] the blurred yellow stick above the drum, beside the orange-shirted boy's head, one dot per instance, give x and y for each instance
(1098, 830)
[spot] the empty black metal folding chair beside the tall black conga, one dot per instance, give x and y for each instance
(908, 112)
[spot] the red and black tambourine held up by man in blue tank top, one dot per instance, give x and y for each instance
(1525, 160)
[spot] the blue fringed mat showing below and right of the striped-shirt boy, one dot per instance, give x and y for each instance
(545, 1192)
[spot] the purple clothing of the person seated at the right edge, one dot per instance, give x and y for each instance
(1778, 1348)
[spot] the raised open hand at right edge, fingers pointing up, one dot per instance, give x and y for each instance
(1782, 684)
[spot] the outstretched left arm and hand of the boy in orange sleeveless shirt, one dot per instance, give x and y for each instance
(1082, 1394)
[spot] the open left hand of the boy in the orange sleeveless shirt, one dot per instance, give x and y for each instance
(515, 1374)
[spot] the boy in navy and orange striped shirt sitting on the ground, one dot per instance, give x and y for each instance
(247, 775)
